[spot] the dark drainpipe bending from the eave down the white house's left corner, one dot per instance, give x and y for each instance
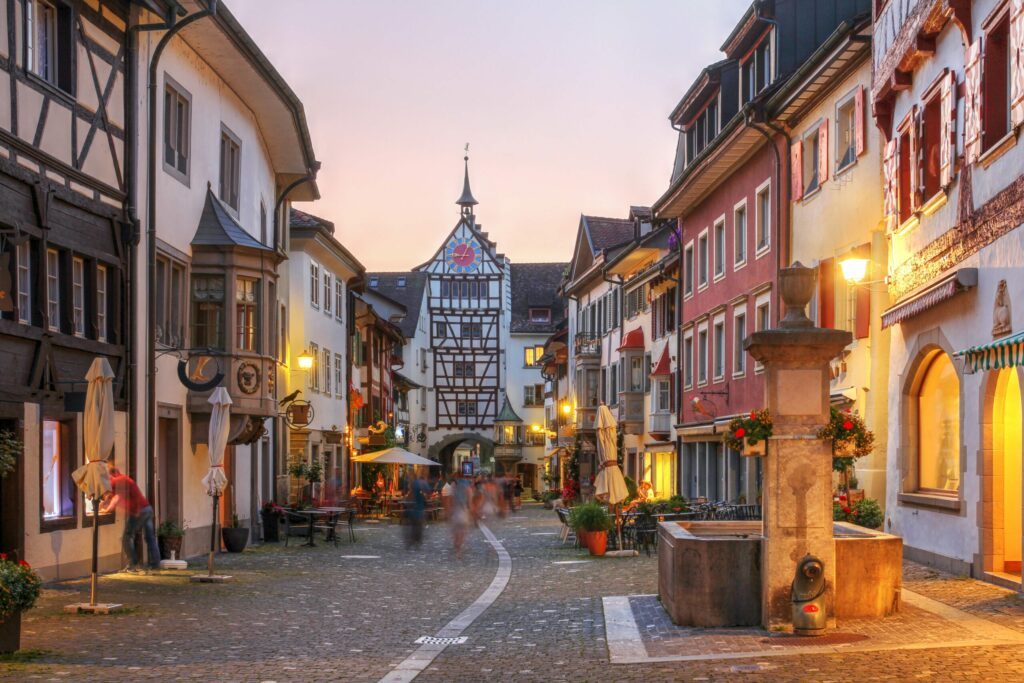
(174, 28)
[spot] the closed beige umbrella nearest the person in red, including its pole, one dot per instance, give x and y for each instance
(93, 478)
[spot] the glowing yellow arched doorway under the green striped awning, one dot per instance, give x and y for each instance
(1002, 504)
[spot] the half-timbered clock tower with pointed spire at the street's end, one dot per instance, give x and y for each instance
(468, 306)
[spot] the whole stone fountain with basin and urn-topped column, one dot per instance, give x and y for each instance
(740, 573)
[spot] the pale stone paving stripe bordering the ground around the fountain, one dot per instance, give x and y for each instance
(626, 646)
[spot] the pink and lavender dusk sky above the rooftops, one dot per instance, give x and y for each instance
(565, 104)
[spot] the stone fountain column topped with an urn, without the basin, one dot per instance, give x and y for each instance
(797, 477)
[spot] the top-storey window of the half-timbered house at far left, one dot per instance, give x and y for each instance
(50, 42)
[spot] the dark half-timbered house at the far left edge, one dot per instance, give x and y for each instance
(65, 250)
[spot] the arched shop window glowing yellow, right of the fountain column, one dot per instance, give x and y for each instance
(938, 426)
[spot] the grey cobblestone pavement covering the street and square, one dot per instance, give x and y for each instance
(312, 615)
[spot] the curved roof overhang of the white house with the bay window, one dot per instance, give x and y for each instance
(230, 52)
